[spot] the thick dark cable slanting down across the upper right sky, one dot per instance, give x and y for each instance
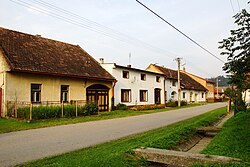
(180, 32)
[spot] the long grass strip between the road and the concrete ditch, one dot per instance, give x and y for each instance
(119, 153)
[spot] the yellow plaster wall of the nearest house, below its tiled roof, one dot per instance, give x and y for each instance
(17, 86)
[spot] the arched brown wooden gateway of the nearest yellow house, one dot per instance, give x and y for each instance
(99, 94)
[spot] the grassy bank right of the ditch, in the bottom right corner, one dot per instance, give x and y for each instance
(233, 140)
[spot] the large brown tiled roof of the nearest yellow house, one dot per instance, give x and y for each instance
(35, 54)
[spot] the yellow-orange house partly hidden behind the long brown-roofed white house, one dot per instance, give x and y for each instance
(209, 85)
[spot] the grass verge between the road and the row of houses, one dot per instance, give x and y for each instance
(7, 125)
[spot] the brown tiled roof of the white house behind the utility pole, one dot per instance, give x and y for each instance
(186, 82)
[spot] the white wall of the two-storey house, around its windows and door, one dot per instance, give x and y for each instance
(135, 83)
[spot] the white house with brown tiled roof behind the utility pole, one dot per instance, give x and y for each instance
(191, 90)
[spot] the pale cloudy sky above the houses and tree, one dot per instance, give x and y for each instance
(124, 32)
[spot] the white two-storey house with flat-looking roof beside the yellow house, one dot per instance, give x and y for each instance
(136, 86)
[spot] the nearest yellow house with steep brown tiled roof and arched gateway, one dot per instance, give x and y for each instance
(36, 69)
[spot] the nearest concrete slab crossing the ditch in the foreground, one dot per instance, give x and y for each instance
(178, 158)
